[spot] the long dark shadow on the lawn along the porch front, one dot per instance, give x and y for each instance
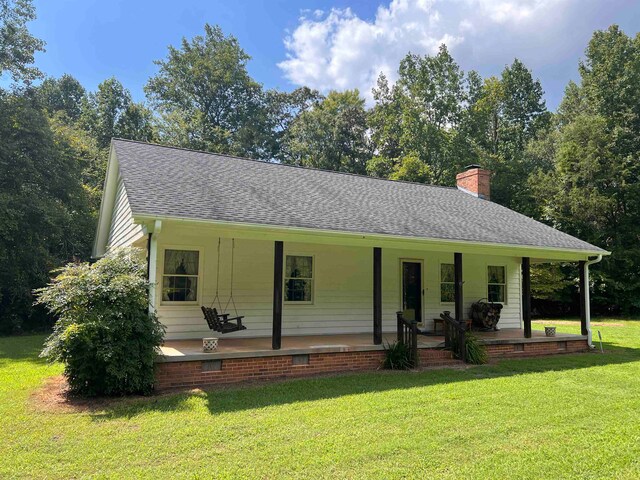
(269, 394)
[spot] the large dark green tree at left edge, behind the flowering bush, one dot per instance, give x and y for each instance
(44, 214)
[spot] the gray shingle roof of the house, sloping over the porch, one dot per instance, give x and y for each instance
(172, 182)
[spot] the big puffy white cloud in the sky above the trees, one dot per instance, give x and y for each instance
(338, 50)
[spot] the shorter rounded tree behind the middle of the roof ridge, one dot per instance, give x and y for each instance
(332, 135)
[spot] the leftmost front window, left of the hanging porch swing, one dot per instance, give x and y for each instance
(180, 276)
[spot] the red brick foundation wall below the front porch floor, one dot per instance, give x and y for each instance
(195, 373)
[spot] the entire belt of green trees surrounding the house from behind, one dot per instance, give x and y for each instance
(576, 169)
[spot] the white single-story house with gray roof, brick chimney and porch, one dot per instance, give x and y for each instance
(319, 262)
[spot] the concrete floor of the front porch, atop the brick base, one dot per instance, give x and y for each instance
(230, 347)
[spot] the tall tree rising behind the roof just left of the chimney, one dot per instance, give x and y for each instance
(418, 119)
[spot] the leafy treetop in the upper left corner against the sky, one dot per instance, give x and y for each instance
(17, 45)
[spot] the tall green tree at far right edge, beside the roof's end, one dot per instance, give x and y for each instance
(593, 188)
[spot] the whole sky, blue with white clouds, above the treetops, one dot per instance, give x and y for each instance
(326, 44)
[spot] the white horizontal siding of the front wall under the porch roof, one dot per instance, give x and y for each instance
(343, 291)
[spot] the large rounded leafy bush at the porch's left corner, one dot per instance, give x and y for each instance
(104, 334)
